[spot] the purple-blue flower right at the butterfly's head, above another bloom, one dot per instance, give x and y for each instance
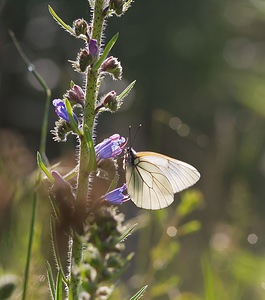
(110, 147)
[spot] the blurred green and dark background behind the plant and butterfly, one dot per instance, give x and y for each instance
(200, 96)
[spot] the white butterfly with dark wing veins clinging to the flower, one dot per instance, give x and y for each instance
(152, 179)
